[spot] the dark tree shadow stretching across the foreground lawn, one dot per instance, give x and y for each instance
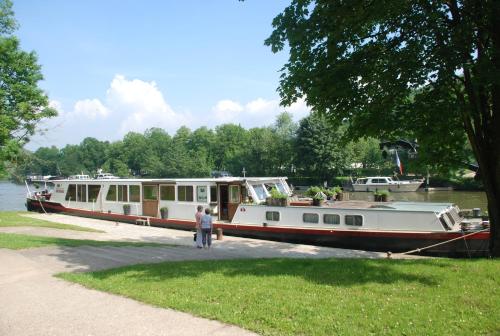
(336, 272)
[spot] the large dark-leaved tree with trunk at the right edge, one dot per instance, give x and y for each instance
(431, 68)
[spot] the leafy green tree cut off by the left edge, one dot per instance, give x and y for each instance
(22, 102)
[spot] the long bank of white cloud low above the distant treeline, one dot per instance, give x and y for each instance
(136, 105)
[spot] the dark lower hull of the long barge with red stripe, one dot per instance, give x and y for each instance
(395, 241)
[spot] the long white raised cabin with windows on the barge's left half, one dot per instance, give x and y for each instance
(146, 197)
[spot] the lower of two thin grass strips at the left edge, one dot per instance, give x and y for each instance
(15, 241)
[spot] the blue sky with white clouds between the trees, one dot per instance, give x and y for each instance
(115, 66)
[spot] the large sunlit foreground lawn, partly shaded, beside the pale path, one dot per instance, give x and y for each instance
(320, 297)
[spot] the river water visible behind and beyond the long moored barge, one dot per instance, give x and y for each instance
(13, 197)
